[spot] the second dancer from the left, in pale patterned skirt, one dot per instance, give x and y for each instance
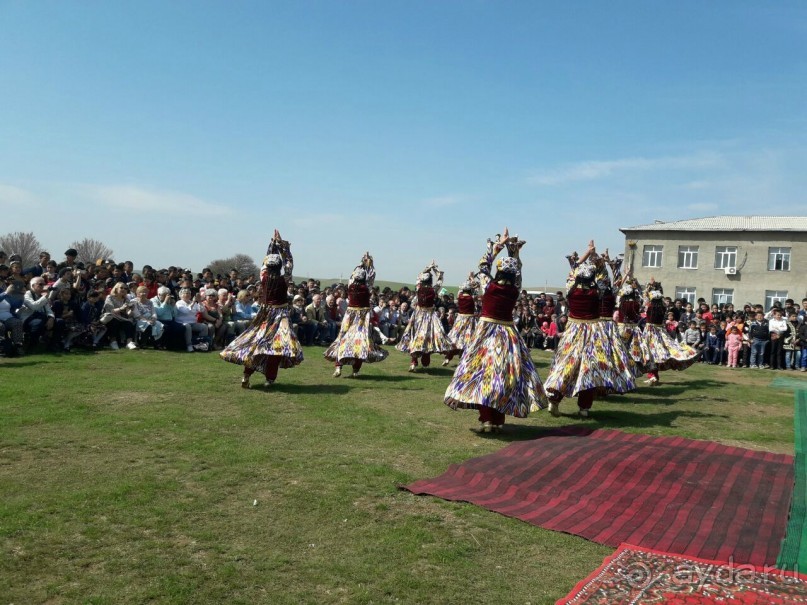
(355, 343)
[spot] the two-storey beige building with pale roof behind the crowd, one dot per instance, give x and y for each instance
(736, 259)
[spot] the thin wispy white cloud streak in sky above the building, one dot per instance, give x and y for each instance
(603, 169)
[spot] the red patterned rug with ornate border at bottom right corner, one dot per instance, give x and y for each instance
(641, 576)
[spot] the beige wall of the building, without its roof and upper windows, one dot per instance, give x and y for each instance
(752, 279)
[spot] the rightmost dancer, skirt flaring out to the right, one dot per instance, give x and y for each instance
(661, 351)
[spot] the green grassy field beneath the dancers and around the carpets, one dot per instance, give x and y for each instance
(146, 476)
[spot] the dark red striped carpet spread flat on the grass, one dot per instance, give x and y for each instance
(671, 494)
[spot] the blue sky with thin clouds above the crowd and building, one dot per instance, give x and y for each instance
(178, 133)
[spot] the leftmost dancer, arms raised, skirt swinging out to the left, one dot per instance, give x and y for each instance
(269, 342)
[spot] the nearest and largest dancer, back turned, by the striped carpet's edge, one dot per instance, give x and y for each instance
(496, 374)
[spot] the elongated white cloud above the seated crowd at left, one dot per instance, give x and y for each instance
(129, 197)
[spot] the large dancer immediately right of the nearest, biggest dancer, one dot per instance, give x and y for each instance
(586, 363)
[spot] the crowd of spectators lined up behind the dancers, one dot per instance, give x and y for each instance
(64, 304)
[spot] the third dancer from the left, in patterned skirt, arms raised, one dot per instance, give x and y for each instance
(424, 334)
